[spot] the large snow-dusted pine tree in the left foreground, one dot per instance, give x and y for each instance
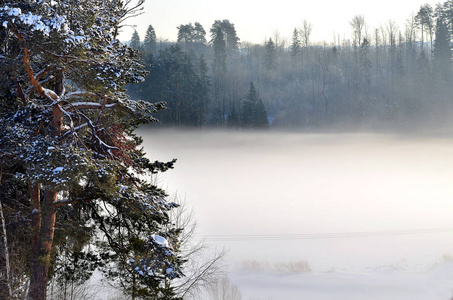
(67, 134)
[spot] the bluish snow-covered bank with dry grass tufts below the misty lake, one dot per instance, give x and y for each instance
(432, 283)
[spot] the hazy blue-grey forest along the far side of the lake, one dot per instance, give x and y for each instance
(395, 75)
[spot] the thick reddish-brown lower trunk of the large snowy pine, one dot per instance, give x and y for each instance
(40, 267)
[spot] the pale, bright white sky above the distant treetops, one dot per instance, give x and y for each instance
(255, 20)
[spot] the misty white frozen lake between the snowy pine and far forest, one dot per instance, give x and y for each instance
(345, 203)
